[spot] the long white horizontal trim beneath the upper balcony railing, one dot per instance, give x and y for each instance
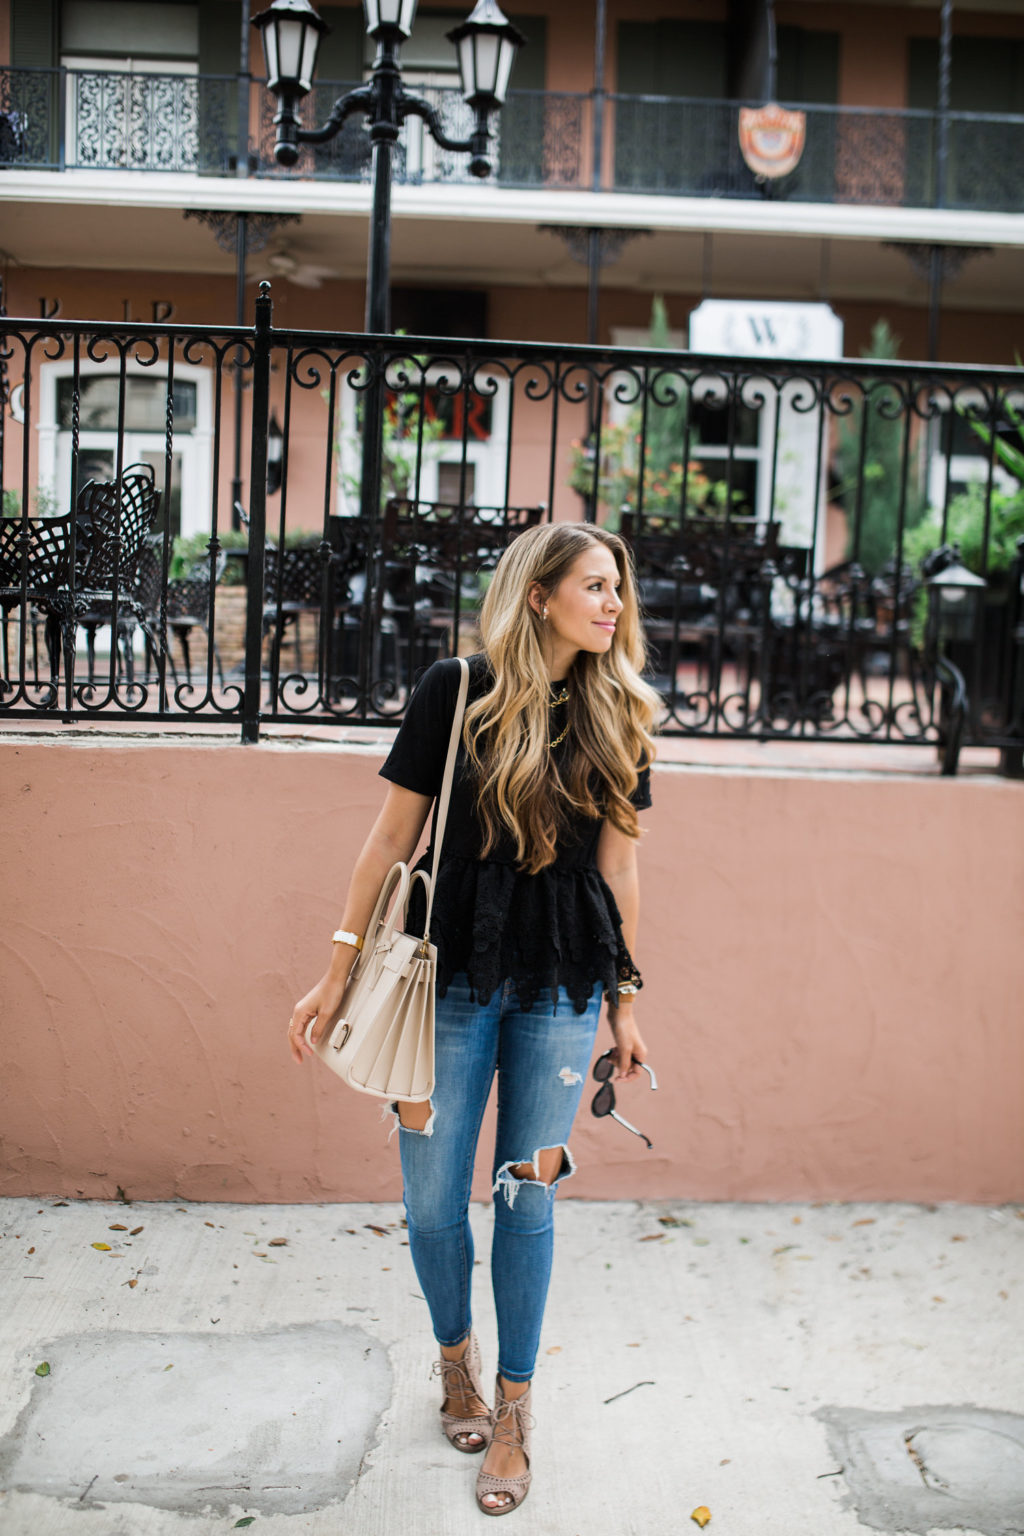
(509, 207)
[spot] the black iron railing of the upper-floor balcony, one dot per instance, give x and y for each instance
(108, 121)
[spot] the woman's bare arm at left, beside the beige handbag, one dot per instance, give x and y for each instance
(394, 838)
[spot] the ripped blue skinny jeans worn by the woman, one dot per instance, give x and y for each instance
(541, 1059)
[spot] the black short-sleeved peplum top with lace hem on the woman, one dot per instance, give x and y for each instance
(492, 919)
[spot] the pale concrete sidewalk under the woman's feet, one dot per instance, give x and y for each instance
(801, 1371)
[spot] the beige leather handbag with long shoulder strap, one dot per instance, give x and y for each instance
(382, 1041)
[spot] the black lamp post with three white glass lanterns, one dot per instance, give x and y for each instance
(487, 45)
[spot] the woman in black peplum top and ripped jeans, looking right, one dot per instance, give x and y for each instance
(535, 921)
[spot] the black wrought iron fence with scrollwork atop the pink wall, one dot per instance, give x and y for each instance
(784, 520)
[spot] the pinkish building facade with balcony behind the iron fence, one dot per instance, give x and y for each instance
(134, 134)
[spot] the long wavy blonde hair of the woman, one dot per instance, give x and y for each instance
(612, 710)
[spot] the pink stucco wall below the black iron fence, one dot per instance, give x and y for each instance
(834, 981)
